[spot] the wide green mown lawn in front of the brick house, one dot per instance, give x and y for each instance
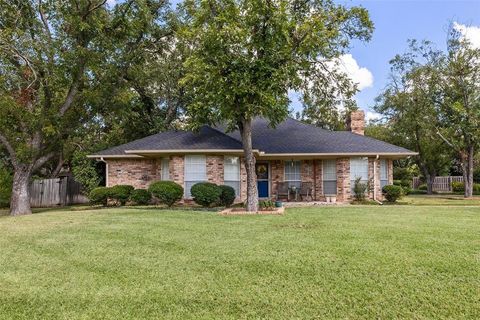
(322, 262)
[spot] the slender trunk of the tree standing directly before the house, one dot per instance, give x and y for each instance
(252, 192)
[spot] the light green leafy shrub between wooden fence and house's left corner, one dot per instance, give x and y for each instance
(84, 171)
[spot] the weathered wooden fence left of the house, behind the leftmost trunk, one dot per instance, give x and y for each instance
(56, 192)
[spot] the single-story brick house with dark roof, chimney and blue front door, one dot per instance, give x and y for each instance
(292, 152)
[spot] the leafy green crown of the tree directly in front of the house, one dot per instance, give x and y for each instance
(245, 56)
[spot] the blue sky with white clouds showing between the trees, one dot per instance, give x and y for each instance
(395, 22)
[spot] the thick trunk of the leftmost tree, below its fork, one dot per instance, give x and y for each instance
(20, 200)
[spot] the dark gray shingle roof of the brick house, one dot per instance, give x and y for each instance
(289, 137)
